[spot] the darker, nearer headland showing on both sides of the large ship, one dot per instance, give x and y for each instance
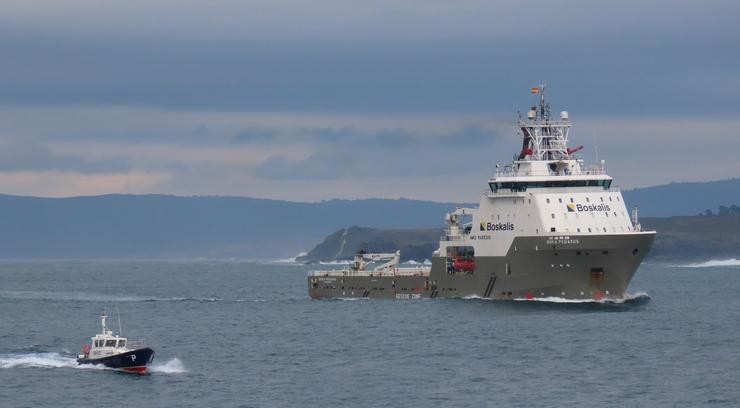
(685, 238)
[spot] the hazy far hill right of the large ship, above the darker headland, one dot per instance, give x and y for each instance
(683, 198)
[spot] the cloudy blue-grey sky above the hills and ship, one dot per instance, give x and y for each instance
(309, 101)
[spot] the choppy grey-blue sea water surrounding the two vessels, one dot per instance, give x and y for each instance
(247, 334)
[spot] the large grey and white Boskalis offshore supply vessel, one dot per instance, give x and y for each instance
(547, 226)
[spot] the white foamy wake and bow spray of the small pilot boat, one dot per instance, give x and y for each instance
(57, 360)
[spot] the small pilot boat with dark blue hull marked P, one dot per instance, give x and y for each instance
(115, 351)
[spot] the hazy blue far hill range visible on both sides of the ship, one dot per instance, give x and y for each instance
(163, 226)
